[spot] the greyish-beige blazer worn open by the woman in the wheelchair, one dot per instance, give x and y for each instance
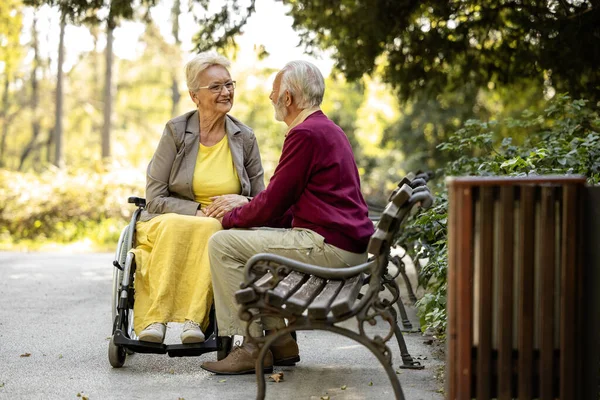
(171, 170)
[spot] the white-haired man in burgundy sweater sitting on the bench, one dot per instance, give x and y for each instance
(316, 187)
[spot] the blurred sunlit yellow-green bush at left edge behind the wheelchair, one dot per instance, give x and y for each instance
(65, 206)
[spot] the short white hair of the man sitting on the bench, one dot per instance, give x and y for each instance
(305, 83)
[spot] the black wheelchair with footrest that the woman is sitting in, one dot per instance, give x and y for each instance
(124, 340)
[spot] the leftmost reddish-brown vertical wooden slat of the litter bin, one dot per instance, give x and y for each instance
(464, 284)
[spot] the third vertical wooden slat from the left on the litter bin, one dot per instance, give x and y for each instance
(506, 257)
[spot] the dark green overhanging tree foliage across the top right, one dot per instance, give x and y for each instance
(430, 47)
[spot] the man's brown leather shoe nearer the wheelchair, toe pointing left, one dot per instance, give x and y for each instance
(241, 360)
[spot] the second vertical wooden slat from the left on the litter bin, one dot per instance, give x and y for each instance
(485, 285)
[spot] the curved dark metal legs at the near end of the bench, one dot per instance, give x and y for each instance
(385, 362)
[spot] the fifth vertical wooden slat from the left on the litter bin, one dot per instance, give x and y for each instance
(546, 251)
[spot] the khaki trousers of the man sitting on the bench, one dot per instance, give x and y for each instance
(229, 250)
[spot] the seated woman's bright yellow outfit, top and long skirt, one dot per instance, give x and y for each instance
(172, 279)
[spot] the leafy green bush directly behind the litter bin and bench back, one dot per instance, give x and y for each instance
(563, 139)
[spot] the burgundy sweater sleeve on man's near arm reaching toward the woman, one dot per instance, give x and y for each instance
(285, 188)
